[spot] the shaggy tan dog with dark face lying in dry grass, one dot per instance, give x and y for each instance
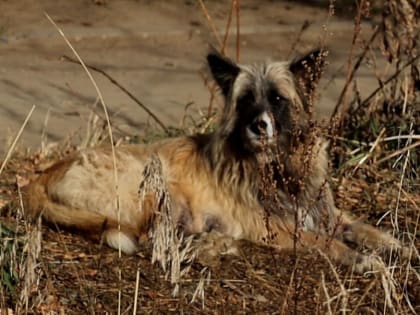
(261, 175)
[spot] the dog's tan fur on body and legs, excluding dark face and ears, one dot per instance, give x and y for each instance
(212, 187)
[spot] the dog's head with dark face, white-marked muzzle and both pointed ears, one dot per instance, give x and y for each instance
(266, 103)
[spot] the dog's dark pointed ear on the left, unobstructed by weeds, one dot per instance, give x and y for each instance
(223, 69)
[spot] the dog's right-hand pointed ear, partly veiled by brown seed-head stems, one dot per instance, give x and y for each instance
(308, 69)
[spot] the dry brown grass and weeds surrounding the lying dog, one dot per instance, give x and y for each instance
(376, 176)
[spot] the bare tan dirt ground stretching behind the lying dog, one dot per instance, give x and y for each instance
(156, 49)
